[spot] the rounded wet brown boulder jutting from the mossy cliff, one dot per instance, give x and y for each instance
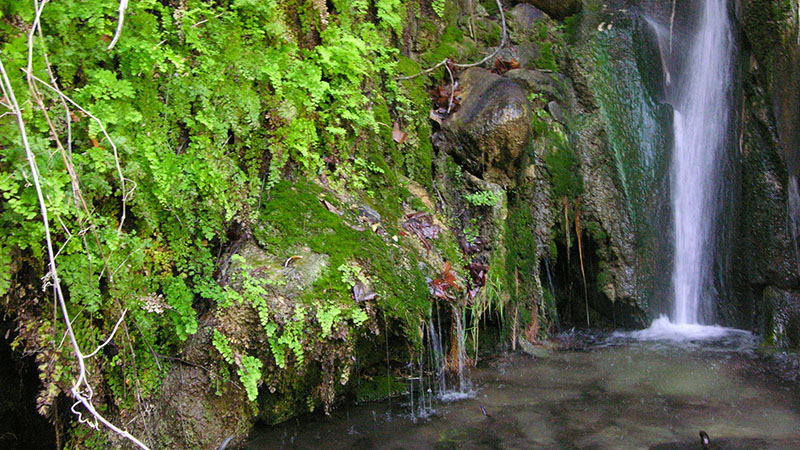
(489, 133)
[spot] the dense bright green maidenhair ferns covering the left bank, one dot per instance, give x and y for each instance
(209, 105)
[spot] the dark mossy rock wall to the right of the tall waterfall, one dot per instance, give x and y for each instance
(768, 262)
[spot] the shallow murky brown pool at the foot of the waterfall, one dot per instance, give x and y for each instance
(620, 394)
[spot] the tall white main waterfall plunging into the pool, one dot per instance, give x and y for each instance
(700, 129)
